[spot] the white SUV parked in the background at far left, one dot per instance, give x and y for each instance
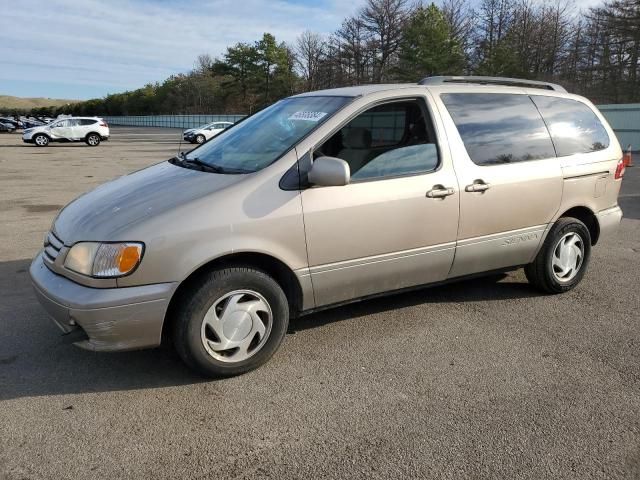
(91, 130)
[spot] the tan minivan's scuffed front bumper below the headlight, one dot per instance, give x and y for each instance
(113, 319)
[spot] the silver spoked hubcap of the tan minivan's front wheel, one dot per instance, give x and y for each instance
(237, 326)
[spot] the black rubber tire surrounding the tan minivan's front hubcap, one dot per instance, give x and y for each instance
(207, 292)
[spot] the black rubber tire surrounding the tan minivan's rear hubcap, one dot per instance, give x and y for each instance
(541, 274)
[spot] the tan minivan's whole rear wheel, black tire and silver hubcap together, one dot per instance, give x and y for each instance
(563, 258)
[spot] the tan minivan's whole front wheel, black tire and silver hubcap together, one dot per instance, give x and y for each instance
(231, 322)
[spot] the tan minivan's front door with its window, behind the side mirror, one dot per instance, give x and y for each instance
(395, 224)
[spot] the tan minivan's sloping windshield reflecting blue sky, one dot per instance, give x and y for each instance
(261, 139)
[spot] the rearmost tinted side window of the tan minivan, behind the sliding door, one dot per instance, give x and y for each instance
(573, 125)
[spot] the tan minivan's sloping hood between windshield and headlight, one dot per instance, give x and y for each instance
(109, 211)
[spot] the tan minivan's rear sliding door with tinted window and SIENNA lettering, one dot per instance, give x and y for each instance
(509, 178)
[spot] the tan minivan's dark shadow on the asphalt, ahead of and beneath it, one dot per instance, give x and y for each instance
(35, 360)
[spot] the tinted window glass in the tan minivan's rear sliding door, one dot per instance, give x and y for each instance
(499, 128)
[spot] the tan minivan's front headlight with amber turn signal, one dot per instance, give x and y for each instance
(104, 260)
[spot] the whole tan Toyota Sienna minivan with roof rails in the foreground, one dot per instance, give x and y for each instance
(328, 197)
